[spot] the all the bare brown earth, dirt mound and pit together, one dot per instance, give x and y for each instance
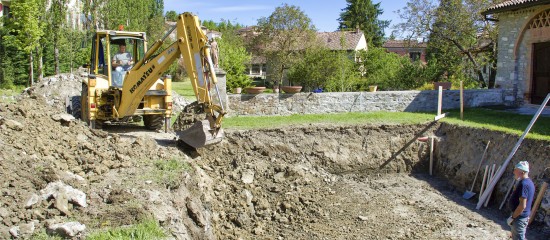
(306, 182)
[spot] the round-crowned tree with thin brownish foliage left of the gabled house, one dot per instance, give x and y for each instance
(281, 37)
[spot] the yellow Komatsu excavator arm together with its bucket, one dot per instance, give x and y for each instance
(192, 44)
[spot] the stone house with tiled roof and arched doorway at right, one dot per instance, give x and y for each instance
(523, 61)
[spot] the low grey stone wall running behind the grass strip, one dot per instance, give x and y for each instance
(393, 101)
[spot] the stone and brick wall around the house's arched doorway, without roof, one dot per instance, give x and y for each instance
(514, 61)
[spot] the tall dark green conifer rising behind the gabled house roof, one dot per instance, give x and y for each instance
(363, 14)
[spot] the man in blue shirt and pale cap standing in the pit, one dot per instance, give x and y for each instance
(521, 200)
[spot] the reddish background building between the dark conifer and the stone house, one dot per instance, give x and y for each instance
(413, 49)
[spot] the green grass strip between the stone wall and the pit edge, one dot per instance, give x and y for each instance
(477, 118)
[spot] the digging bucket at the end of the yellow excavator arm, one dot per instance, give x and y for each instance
(200, 134)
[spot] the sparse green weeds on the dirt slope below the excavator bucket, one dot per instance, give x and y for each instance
(169, 173)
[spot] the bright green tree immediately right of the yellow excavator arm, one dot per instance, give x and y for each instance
(233, 59)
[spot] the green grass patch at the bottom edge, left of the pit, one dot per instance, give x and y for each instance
(148, 229)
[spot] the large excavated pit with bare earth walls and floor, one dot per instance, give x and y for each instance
(356, 182)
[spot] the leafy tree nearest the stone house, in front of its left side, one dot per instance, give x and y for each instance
(455, 30)
